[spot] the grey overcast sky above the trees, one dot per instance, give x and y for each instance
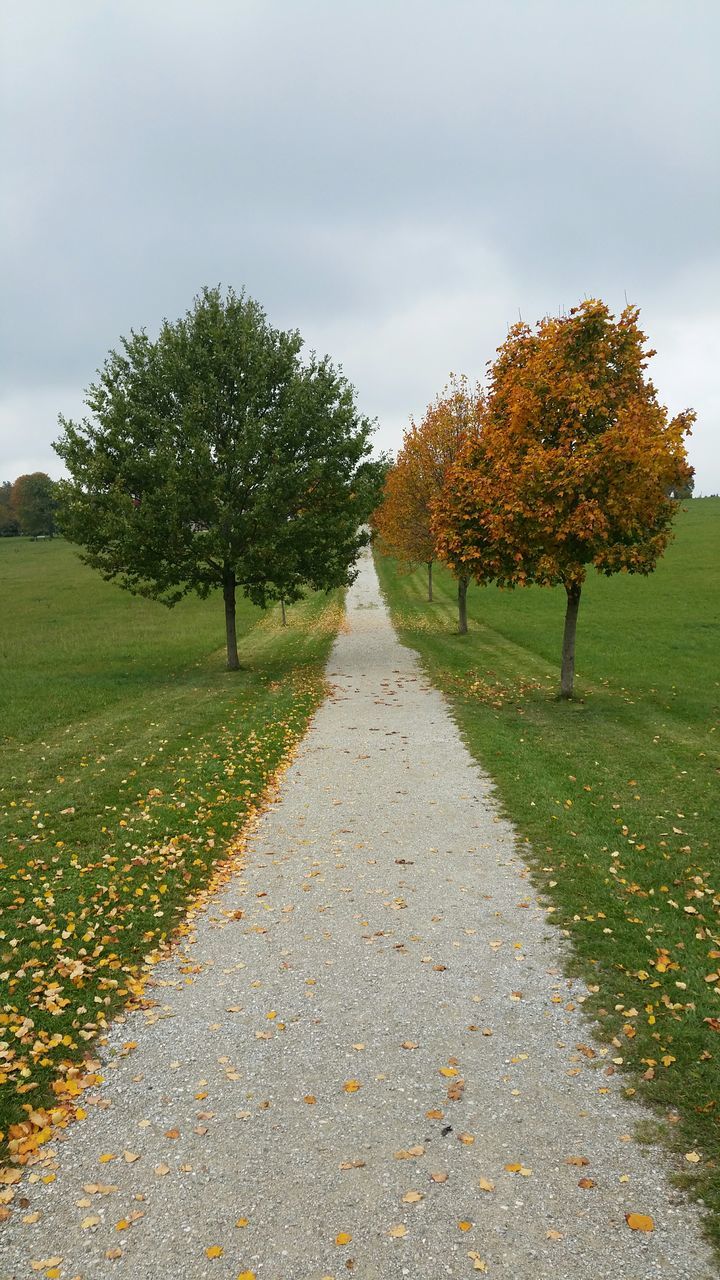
(400, 180)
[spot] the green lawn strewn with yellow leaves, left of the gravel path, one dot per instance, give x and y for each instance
(129, 760)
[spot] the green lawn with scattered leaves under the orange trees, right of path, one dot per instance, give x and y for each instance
(617, 797)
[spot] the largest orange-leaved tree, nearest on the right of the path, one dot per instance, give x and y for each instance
(575, 467)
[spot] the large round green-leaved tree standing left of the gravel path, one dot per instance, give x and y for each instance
(217, 459)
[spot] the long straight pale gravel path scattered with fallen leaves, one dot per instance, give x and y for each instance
(364, 1059)
